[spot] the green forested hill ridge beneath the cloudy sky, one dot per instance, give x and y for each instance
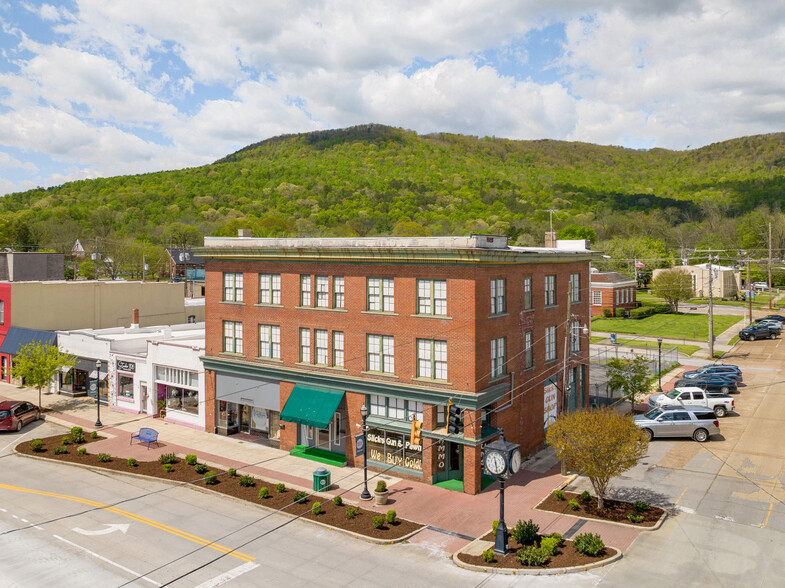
(374, 179)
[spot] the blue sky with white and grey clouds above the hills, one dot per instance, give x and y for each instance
(95, 88)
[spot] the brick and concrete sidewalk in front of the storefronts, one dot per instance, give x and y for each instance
(454, 518)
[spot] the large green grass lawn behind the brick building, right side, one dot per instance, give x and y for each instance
(676, 326)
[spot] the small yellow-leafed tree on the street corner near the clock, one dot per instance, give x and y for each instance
(600, 444)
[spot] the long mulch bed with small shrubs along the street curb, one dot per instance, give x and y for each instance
(332, 515)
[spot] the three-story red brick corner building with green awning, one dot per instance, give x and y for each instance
(301, 333)
